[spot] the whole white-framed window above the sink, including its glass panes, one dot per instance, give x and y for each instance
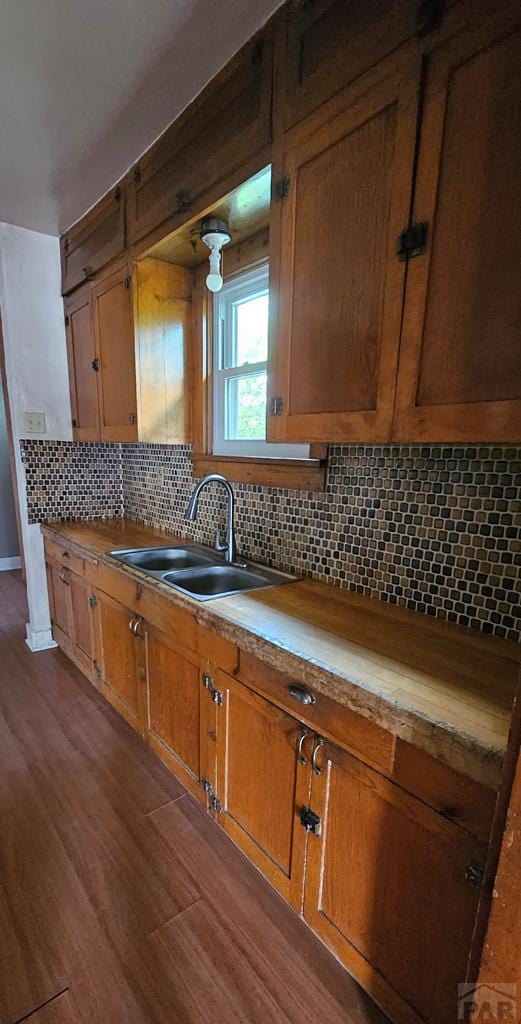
(241, 352)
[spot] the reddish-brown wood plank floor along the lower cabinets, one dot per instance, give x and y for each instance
(120, 901)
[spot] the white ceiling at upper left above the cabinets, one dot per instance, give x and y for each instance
(88, 86)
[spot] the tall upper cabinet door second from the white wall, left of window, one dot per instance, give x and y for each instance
(115, 343)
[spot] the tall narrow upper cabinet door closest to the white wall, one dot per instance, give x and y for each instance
(82, 376)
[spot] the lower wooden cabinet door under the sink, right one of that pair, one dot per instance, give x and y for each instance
(173, 706)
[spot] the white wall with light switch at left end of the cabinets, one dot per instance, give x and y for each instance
(35, 348)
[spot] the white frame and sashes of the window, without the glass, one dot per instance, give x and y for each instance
(248, 284)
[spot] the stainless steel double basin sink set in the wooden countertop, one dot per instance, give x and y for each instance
(199, 572)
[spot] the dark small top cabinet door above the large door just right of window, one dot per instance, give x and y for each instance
(331, 42)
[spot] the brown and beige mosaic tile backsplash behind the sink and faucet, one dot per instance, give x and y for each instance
(436, 529)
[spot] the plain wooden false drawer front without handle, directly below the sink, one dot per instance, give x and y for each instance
(155, 608)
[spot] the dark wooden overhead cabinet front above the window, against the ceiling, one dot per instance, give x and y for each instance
(220, 133)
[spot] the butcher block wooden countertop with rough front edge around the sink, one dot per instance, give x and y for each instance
(443, 688)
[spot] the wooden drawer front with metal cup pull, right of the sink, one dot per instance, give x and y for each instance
(358, 735)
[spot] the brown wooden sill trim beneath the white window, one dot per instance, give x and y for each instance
(297, 475)
